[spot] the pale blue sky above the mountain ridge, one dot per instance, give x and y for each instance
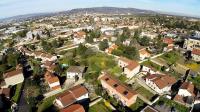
(9, 8)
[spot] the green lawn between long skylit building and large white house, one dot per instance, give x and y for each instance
(144, 92)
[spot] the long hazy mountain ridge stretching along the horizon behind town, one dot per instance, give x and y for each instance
(101, 10)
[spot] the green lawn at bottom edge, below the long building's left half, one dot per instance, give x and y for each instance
(99, 107)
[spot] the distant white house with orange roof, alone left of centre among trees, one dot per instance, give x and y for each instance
(79, 37)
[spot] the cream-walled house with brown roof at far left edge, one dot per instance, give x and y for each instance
(13, 77)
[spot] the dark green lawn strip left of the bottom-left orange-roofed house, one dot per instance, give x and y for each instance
(46, 103)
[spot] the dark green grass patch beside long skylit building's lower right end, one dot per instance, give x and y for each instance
(138, 105)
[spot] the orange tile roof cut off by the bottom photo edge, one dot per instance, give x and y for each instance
(73, 108)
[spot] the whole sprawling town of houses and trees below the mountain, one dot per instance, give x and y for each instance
(93, 62)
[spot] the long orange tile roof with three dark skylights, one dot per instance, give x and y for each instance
(121, 88)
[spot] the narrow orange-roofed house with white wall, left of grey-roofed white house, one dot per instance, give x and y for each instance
(52, 81)
